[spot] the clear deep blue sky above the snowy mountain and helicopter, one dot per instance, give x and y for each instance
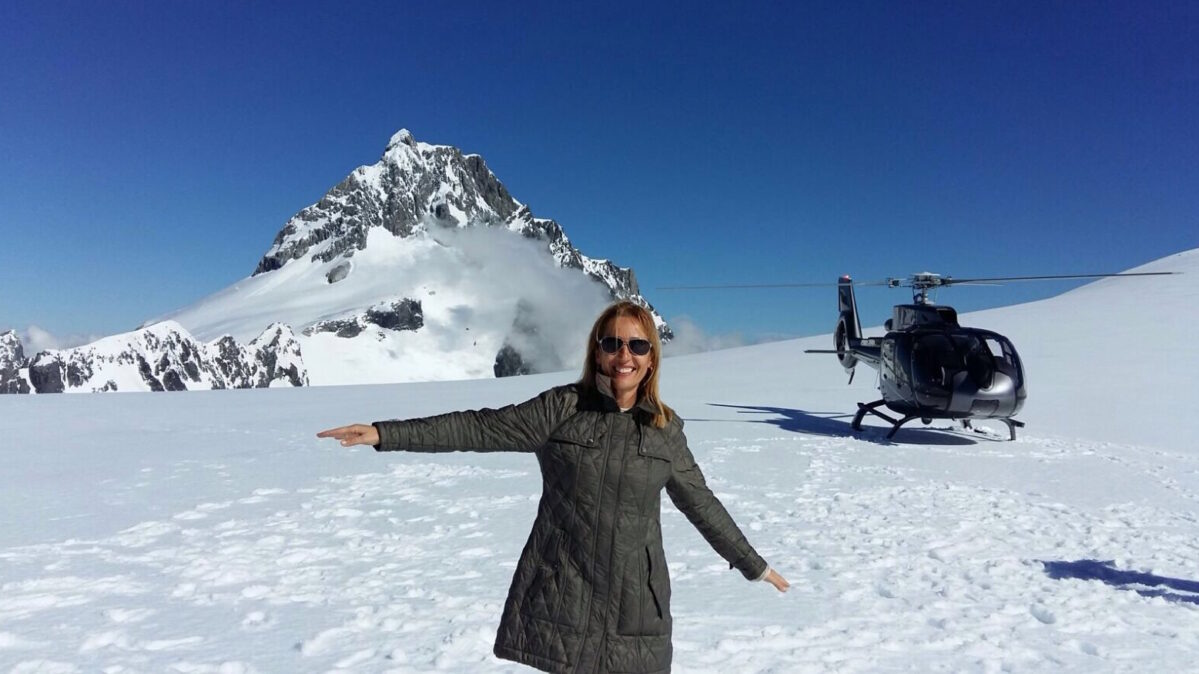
(150, 152)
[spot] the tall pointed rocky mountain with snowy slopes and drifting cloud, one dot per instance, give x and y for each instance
(421, 267)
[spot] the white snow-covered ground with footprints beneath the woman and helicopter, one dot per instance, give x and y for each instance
(210, 532)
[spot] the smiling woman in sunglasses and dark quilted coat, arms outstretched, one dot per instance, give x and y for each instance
(592, 593)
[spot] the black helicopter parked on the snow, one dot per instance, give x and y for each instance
(930, 365)
